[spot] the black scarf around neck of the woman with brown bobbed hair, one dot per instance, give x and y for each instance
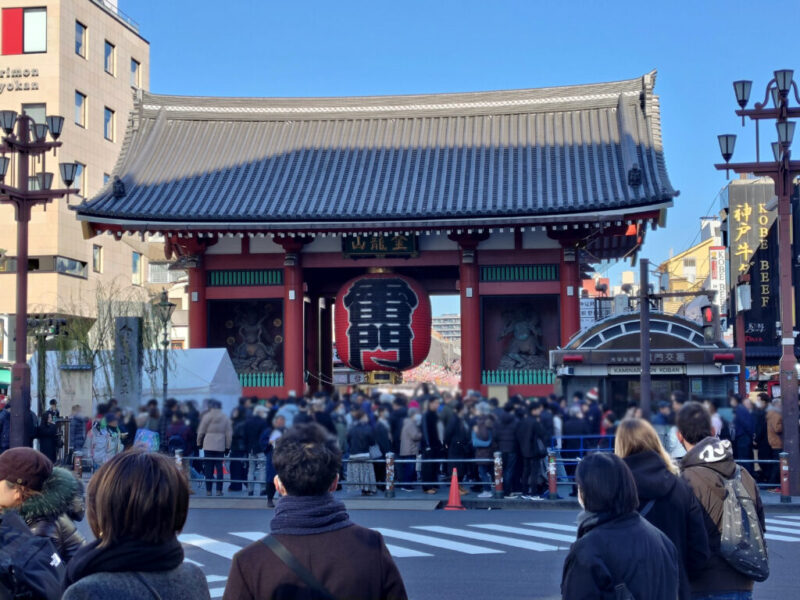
(125, 556)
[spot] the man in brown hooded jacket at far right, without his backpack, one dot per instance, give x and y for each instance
(707, 465)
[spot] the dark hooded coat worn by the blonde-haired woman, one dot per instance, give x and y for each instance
(676, 512)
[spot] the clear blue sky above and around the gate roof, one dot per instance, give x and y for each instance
(350, 47)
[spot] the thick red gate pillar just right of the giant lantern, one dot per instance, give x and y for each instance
(470, 318)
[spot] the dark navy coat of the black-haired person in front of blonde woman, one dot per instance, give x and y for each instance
(626, 549)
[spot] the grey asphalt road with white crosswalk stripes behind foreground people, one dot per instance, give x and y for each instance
(456, 555)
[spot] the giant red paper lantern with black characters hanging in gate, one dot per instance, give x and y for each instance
(383, 323)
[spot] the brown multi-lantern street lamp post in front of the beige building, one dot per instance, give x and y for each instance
(29, 141)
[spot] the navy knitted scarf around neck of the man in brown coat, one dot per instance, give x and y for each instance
(307, 515)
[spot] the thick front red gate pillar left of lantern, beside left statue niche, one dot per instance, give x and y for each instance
(293, 336)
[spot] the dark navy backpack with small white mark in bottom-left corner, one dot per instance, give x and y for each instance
(30, 567)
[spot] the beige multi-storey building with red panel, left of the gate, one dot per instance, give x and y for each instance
(83, 60)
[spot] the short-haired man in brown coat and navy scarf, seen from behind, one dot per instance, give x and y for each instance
(314, 550)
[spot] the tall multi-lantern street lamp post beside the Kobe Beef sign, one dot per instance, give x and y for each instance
(782, 170)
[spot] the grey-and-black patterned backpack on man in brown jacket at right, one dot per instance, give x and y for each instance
(742, 542)
